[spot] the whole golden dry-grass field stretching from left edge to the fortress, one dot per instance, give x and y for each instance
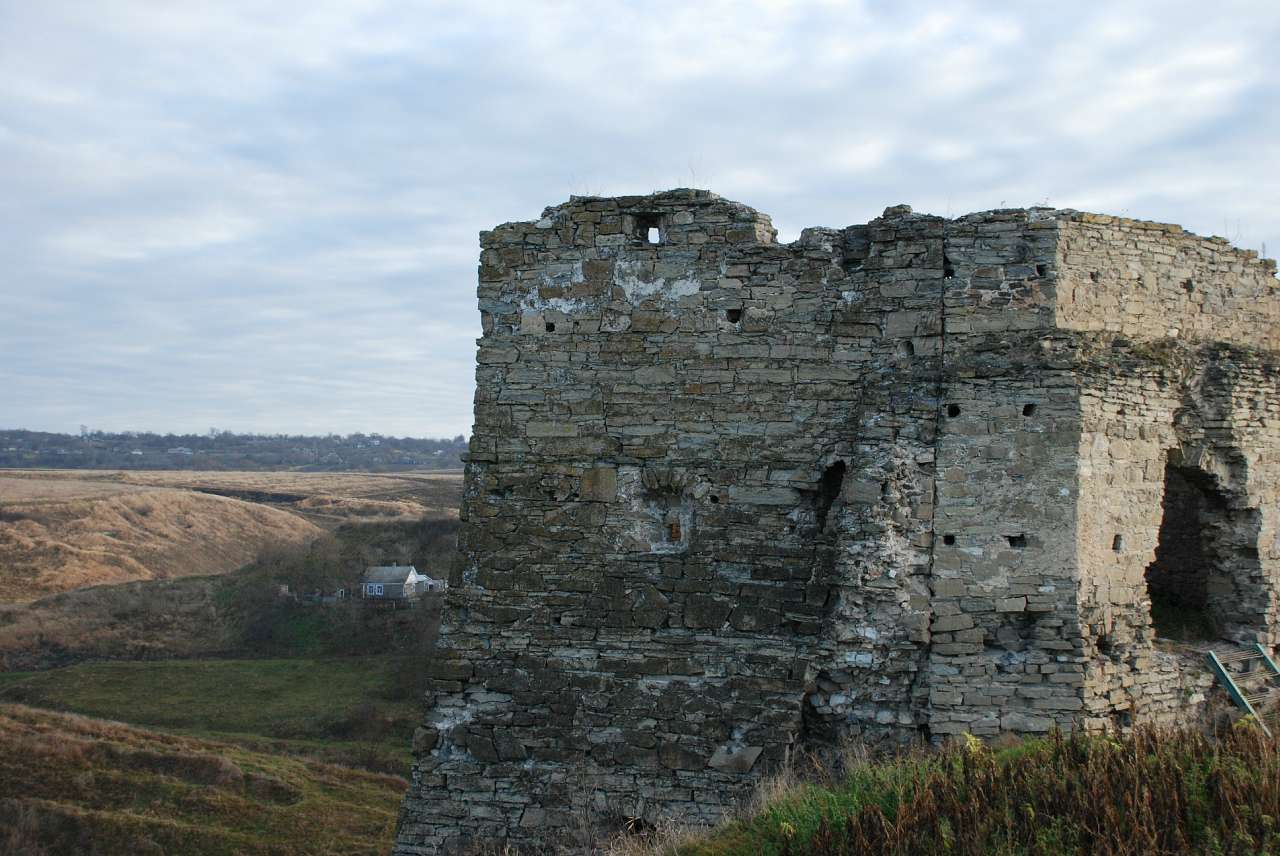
(63, 530)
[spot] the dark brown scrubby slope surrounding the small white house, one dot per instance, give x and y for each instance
(235, 615)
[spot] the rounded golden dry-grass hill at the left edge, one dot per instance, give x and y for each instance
(58, 535)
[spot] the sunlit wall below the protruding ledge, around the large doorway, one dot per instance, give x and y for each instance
(1215, 422)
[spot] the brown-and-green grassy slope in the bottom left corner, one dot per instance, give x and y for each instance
(71, 785)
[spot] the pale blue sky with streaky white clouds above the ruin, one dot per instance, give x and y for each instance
(263, 217)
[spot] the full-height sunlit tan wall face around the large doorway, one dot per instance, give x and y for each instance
(1171, 400)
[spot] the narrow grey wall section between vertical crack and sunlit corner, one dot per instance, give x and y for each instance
(1007, 648)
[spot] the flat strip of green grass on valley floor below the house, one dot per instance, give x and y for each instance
(342, 709)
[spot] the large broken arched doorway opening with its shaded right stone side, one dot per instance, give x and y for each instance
(1205, 583)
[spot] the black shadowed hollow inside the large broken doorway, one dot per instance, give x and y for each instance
(1178, 582)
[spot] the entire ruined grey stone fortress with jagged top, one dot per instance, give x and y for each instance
(730, 498)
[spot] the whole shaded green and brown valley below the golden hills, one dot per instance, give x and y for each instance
(287, 731)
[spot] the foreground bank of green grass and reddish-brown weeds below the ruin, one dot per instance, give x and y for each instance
(1153, 793)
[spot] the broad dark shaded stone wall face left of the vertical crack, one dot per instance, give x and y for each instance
(697, 509)
